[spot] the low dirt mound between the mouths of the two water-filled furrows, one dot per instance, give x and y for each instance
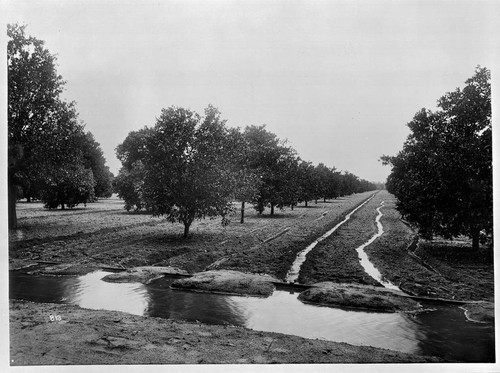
(358, 296)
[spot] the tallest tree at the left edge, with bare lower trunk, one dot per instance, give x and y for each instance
(33, 99)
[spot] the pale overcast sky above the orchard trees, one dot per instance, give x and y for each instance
(338, 79)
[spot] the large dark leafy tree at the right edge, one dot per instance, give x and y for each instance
(443, 176)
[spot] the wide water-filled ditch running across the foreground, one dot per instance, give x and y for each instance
(444, 332)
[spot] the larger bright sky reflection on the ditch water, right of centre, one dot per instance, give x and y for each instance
(284, 313)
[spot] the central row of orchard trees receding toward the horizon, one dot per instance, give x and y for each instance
(189, 167)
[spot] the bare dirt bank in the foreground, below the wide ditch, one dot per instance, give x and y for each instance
(80, 336)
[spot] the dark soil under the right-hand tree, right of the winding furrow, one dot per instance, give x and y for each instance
(439, 268)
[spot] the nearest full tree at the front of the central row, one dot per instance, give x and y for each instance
(187, 165)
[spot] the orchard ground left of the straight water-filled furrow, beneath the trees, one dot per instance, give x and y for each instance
(104, 234)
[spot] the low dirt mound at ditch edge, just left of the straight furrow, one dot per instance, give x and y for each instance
(227, 281)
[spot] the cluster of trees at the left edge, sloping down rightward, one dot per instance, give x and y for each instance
(50, 156)
